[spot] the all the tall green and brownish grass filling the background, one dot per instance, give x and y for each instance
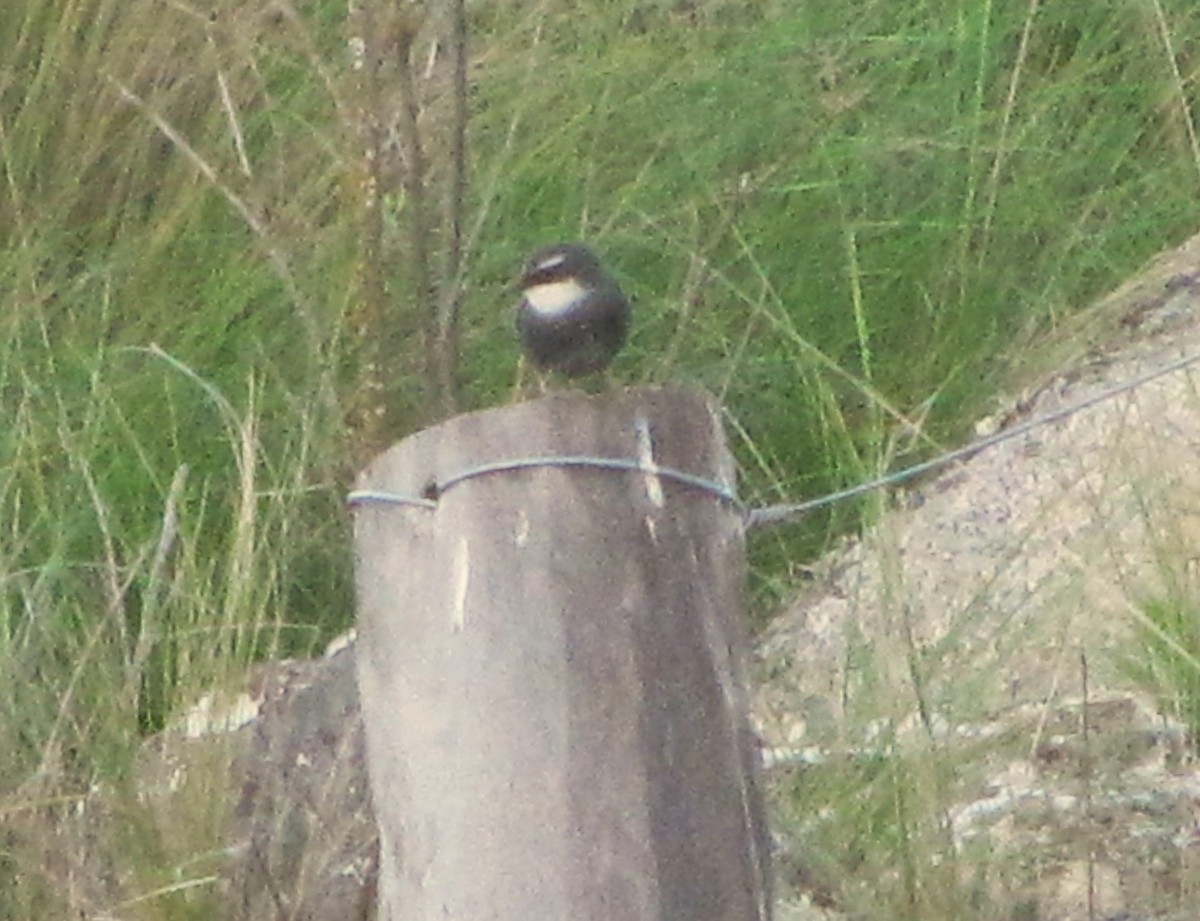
(845, 220)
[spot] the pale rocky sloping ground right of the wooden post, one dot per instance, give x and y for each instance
(997, 622)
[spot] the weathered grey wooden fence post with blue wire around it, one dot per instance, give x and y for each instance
(550, 669)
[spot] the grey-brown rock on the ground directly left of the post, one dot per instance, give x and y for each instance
(287, 755)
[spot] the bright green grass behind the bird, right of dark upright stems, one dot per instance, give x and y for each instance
(881, 203)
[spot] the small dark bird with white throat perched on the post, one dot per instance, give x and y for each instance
(574, 317)
